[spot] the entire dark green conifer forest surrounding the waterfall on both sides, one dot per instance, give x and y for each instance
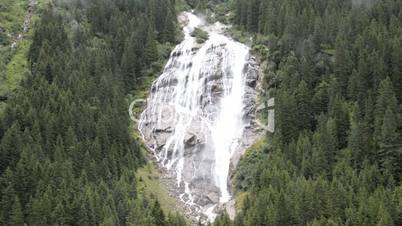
(68, 156)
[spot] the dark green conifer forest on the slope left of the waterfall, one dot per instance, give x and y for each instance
(67, 156)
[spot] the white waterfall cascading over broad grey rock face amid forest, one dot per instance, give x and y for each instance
(198, 114)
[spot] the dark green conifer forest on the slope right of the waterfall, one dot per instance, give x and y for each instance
(335, 69)
